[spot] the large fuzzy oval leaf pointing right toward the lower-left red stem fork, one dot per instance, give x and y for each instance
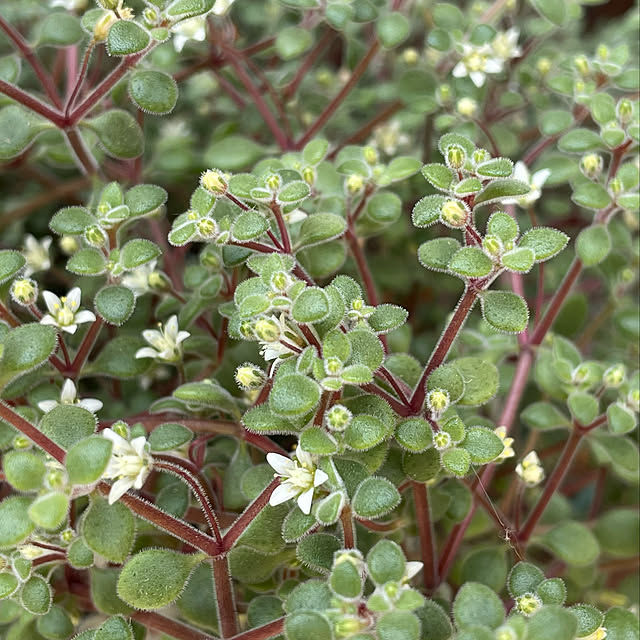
(154, 578)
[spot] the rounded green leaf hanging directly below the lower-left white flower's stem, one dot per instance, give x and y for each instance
(109, 530)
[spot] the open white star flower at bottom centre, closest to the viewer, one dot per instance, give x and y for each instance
(299, 479)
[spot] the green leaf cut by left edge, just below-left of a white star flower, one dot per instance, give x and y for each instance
(26, 348)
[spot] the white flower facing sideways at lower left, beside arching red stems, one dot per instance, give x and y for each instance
(129, 465)
